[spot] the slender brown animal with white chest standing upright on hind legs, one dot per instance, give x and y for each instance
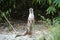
(30, 22)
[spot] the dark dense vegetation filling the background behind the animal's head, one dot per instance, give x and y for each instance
(43, 9)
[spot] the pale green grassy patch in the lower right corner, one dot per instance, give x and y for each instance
(53, 33)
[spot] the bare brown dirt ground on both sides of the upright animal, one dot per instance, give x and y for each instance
(38, 30)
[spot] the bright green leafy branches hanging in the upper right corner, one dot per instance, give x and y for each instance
(52, 6)
